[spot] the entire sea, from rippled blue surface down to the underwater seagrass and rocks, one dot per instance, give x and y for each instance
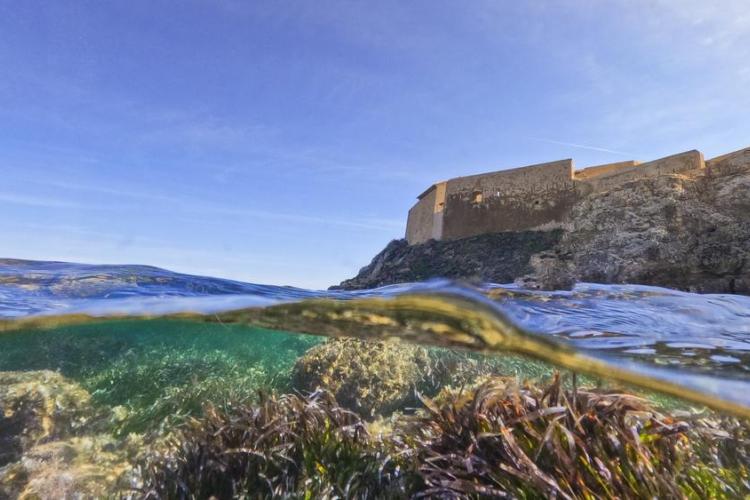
(136, 382)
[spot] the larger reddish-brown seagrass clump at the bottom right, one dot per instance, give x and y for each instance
(502, 440)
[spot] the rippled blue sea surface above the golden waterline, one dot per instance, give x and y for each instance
(650, 323)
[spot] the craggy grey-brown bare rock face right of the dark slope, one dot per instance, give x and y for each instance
(690, 232)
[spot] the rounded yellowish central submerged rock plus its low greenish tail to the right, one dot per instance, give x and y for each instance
(376, 378)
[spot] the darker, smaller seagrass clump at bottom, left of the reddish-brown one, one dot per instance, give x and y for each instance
(292, 446)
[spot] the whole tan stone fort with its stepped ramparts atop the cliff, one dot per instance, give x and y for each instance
(536, 197)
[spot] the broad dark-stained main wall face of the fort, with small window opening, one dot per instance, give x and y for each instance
(510, 200)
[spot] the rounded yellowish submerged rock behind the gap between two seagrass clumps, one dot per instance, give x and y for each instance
(370, 378)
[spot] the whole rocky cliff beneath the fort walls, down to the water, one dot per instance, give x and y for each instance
(688, 231)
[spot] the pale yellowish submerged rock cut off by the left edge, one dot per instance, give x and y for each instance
(37, 407)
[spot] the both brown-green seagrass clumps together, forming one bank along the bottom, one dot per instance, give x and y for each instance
(498, 439)
